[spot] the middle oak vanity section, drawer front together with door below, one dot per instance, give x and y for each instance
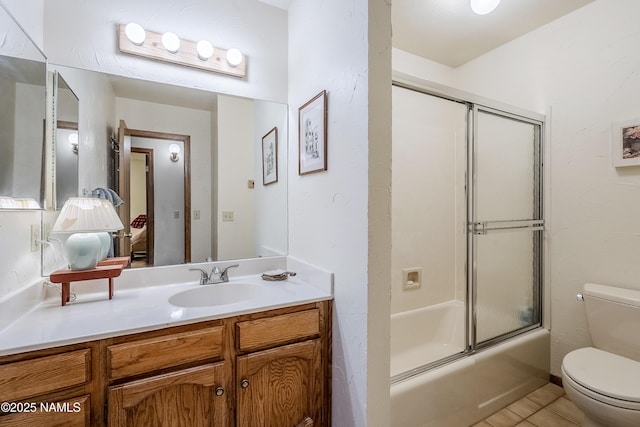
(172, 377)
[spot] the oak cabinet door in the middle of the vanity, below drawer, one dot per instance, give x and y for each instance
(191, 397)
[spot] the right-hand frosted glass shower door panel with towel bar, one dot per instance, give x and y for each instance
(505, 228)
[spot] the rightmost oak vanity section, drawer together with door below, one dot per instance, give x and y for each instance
(282, 368)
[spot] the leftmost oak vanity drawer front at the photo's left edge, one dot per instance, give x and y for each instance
(45, 374)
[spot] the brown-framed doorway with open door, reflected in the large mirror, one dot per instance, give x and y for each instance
(168, 222)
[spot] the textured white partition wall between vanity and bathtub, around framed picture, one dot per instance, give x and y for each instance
(333, 214)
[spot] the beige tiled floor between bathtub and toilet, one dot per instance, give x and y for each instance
(546, 407)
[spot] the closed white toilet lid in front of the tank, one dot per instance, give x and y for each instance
(605, 373)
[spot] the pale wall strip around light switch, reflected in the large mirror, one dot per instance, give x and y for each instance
(236, 166)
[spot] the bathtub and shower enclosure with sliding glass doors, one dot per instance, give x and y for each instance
(466, 328)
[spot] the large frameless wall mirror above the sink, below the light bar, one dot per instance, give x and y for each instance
(187, 165)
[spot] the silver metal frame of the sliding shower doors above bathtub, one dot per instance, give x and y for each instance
(475, 104)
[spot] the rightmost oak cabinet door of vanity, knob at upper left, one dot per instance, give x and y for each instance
(281, 386)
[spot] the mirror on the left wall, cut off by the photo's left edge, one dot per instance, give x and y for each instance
(22, 118)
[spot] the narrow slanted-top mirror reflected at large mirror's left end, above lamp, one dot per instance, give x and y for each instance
(65, 141)
